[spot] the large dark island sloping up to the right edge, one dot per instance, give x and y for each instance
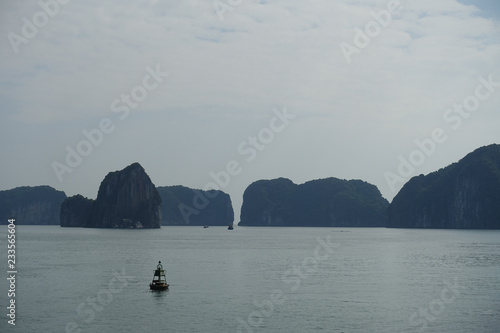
(464, 195)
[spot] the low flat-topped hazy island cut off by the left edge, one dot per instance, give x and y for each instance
(37, 205)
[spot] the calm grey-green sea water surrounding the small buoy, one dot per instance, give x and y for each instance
(255, 280)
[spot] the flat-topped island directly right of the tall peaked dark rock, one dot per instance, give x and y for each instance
(185, 206)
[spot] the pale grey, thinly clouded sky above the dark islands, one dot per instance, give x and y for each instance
(219, 94)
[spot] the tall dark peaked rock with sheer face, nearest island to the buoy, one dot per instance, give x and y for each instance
(126, 199)
